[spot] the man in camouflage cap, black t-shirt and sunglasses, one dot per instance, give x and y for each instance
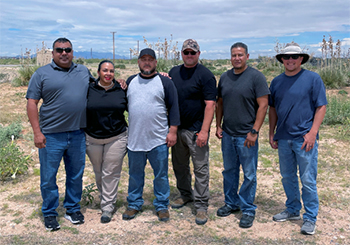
(196, 88)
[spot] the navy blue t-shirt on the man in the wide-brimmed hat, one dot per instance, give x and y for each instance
(295, 99)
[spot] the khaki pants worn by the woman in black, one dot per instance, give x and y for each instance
(106, 156)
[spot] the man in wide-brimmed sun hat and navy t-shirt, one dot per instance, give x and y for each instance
(297, 108)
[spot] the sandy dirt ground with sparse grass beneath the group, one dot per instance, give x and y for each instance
(21, 221)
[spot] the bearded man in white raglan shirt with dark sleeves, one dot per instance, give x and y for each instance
(152, 106)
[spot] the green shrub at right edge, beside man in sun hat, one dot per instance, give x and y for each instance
(338, 111)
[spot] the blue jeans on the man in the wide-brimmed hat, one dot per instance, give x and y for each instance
(291, 156)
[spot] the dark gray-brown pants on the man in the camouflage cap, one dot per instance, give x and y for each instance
(181, 152)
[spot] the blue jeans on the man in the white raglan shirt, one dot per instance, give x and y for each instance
(158, 158)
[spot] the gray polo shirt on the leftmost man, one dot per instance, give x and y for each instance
(63, 92)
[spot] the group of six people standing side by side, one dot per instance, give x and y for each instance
(80, 114)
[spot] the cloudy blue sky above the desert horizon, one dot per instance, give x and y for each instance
(215, 24)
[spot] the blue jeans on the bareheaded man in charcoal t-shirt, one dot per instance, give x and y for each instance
(234, 154)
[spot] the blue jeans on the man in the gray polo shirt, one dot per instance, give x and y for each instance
(71, 146)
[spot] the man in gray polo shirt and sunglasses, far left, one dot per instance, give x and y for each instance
(62, 86)
